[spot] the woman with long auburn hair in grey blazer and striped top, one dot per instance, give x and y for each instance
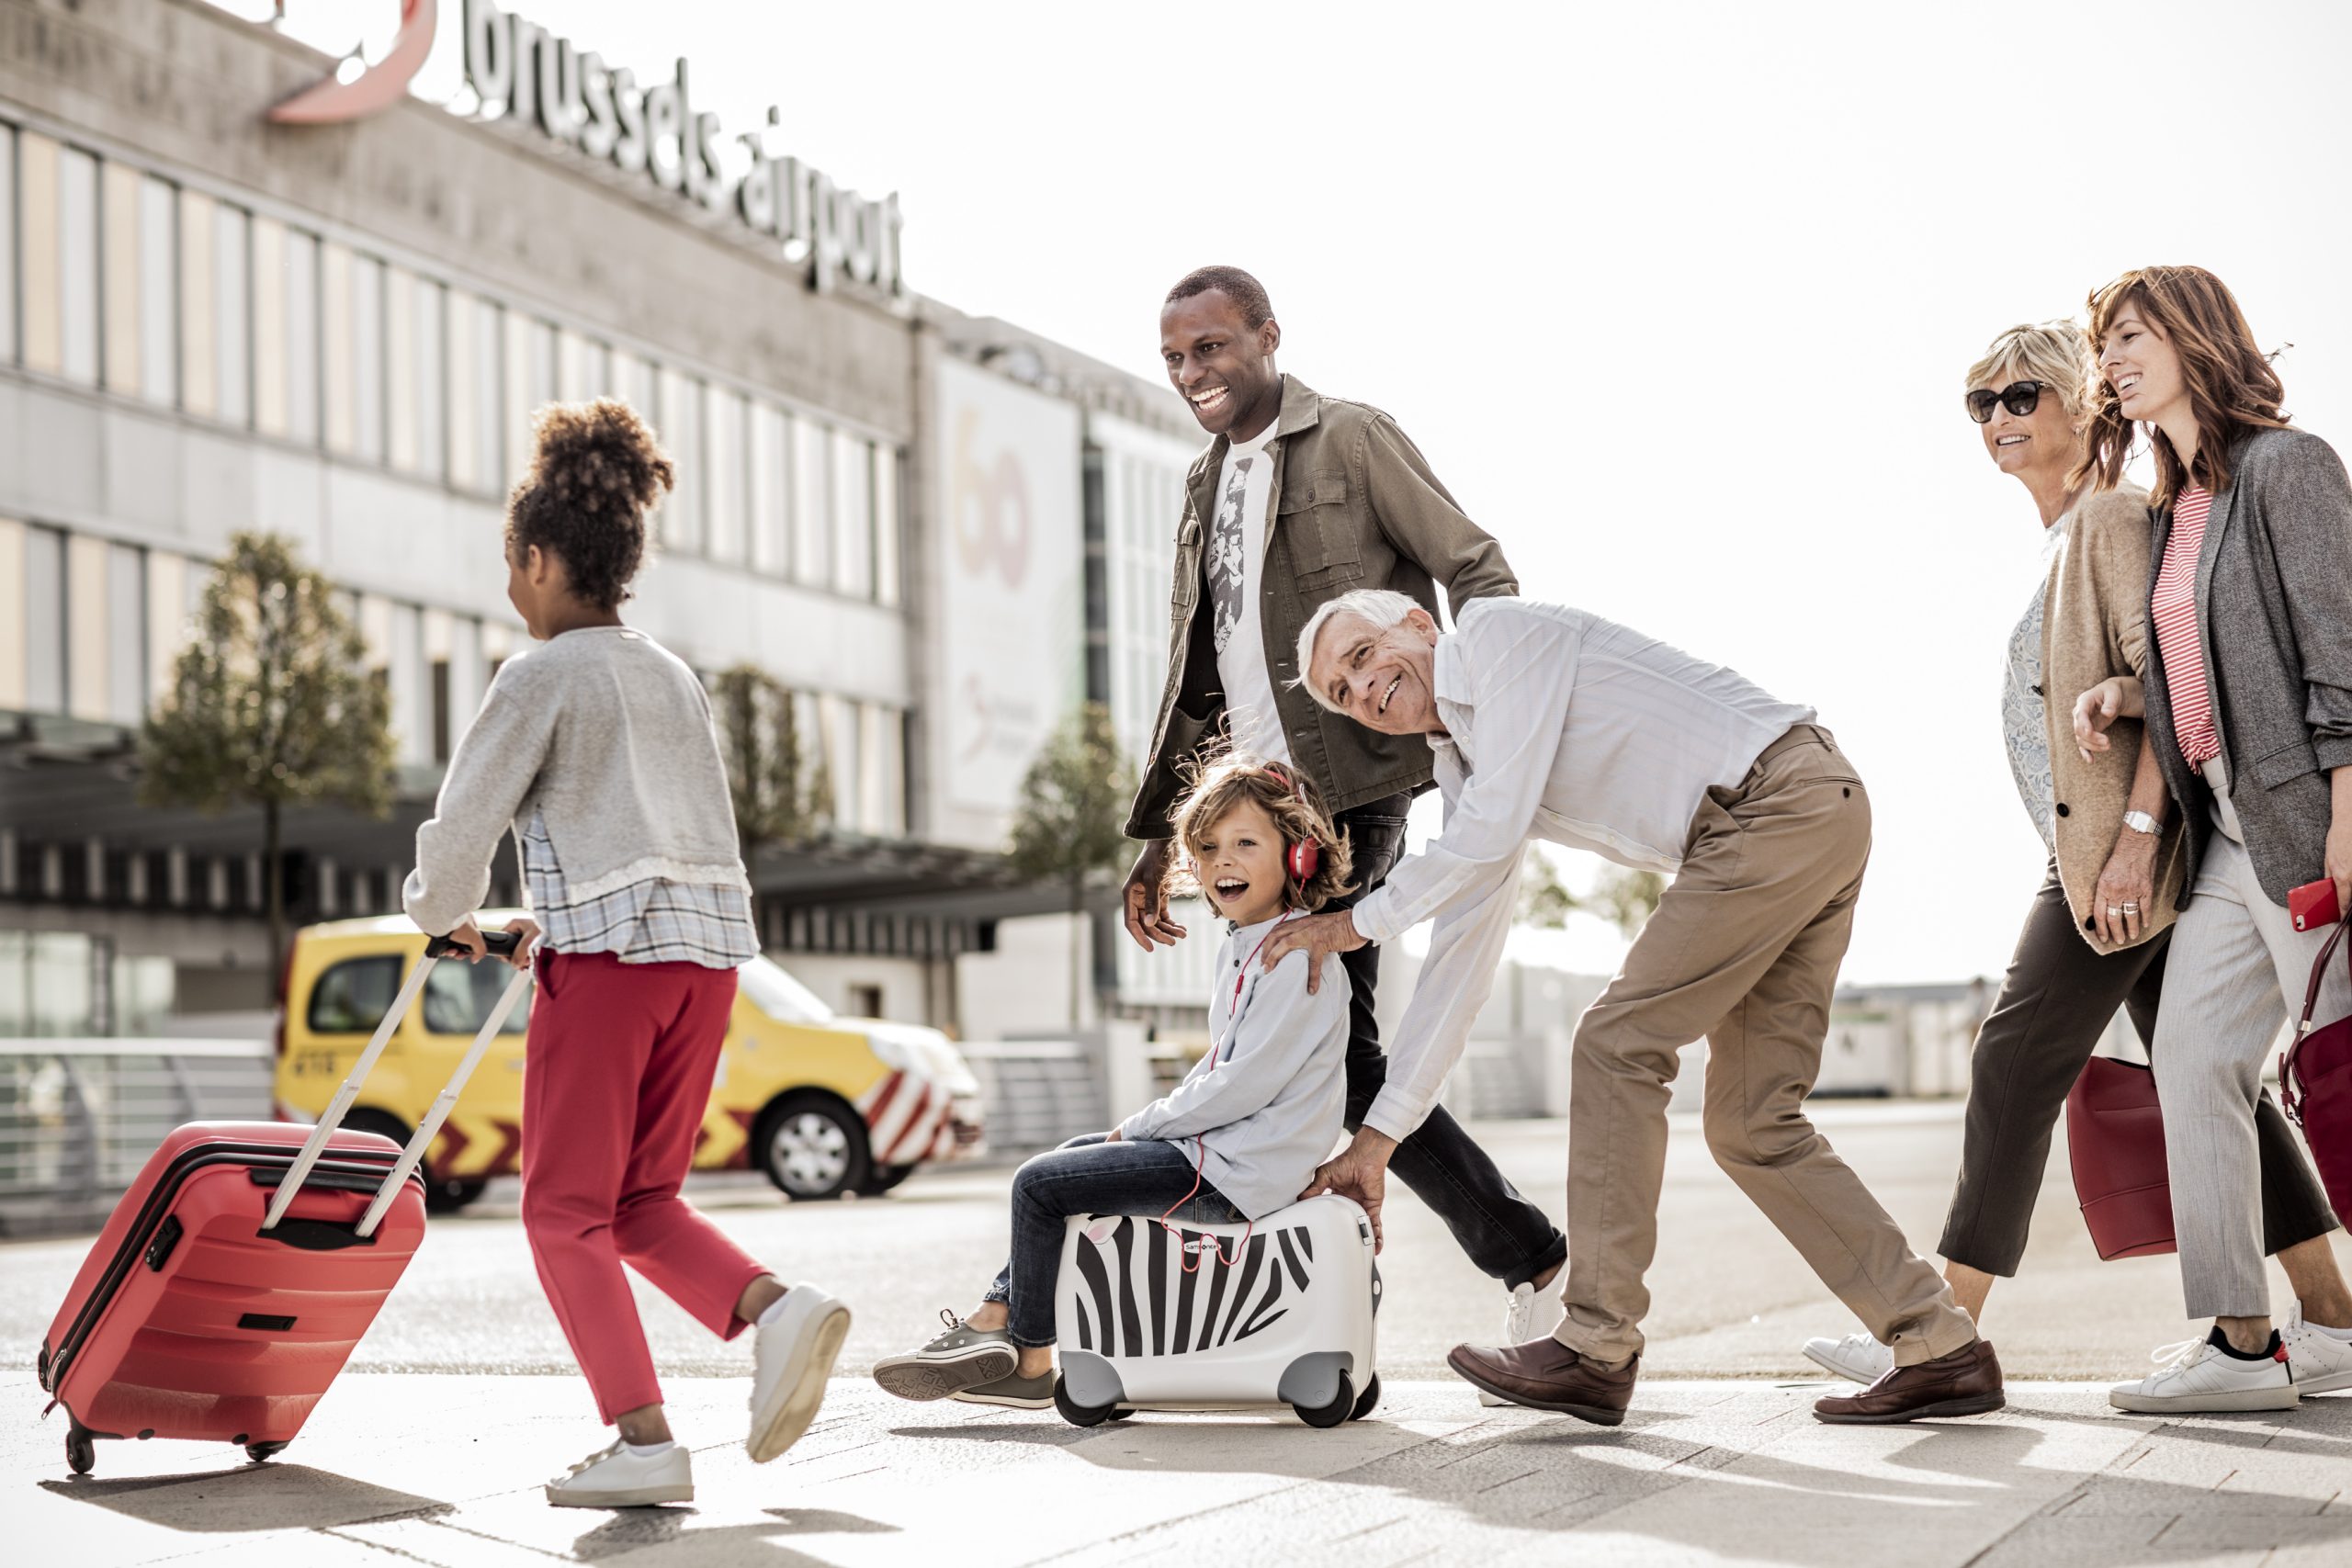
(2250, 711)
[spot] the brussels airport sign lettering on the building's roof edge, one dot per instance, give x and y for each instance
(521, 72)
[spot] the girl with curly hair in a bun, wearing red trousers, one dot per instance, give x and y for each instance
(599, 751)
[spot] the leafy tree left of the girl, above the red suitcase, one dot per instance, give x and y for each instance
(272, 706)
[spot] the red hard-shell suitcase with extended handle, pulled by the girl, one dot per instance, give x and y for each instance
(215, 1308)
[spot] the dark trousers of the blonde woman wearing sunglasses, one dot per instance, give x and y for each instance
(2054, 1005)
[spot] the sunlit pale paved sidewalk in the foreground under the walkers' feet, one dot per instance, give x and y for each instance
(443, 1470)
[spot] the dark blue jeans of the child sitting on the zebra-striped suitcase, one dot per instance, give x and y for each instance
(1090, 1177)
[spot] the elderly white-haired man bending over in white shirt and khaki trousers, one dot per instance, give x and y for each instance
(1556, 723)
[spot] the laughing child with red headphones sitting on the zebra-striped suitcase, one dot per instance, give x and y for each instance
(1236, 1141)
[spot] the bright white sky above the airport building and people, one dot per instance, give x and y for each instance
(1676, 297)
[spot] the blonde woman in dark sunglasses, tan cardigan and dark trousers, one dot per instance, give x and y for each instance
(2097, 930)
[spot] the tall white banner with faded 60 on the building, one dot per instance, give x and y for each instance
(1010, 554)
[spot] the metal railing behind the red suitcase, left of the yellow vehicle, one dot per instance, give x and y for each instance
(79, 1118)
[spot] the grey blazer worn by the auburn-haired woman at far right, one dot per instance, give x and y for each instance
(2276, 622)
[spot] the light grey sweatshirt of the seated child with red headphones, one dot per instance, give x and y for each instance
(1271, 1097)
